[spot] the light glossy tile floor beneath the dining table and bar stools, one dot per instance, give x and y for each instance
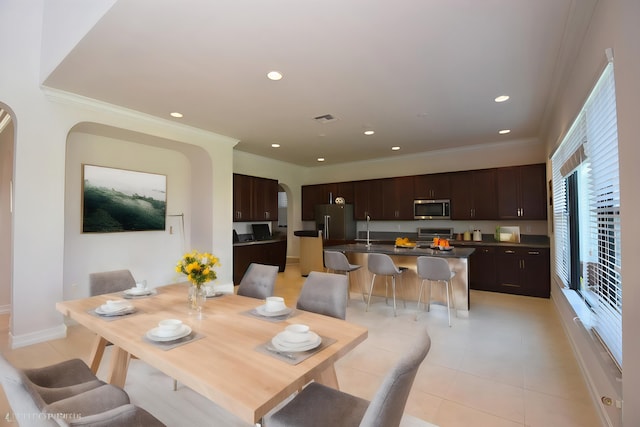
(509, 364)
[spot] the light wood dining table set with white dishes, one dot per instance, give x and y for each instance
(224, 365)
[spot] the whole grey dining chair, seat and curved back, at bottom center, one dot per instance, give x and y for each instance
(320, 406)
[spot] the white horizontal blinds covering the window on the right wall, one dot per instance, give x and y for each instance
(594, 132)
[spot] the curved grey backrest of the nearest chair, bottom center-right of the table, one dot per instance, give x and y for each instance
(387, 406)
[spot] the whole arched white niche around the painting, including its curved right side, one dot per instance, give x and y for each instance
(150, 255)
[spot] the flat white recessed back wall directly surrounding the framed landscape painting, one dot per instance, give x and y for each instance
(149, 255)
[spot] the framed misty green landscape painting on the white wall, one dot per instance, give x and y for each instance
(117, 200)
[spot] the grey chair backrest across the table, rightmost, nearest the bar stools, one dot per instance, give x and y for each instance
(324, 293)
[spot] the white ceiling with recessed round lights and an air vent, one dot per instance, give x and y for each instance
(422, 73)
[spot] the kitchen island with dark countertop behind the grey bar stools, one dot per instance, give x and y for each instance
(458, 259)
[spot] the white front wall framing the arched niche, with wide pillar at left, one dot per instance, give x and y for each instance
(43, 122)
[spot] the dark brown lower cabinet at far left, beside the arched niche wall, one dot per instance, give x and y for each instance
(269, 252)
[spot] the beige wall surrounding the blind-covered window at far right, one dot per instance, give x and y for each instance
(614, 25)
